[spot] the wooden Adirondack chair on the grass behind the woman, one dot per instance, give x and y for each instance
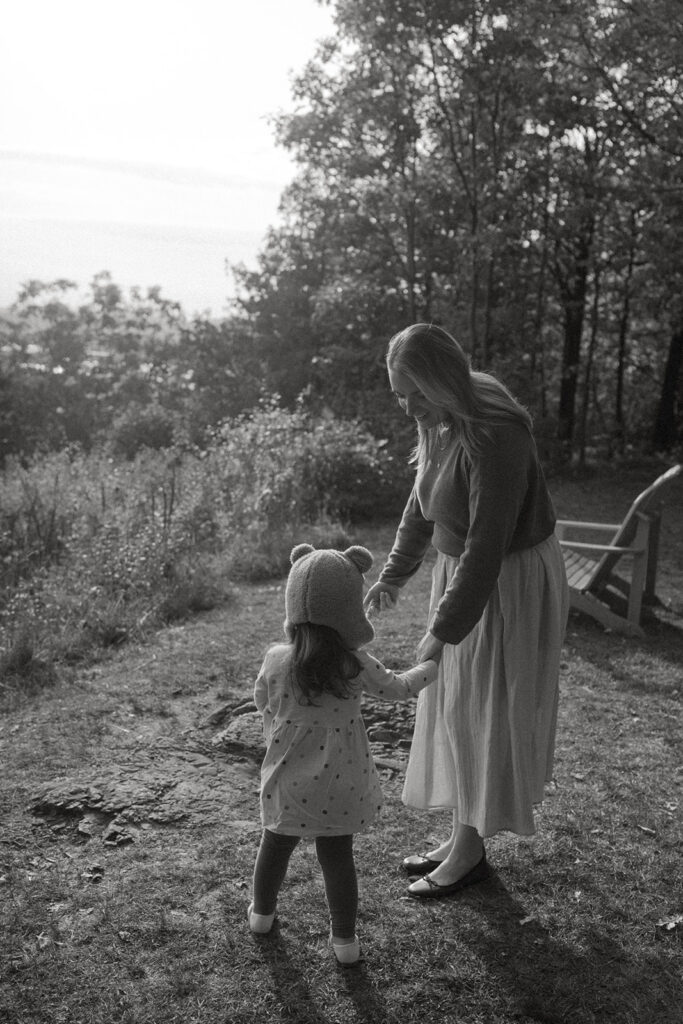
(595, 569)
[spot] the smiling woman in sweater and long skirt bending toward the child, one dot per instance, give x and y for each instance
(485, 734)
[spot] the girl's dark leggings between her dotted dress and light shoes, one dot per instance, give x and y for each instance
(335, 855)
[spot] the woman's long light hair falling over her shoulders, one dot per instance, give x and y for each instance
(440, 368)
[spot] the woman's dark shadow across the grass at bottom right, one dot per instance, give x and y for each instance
(549, 983)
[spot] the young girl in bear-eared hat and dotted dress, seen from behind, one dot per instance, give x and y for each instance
(319, 780)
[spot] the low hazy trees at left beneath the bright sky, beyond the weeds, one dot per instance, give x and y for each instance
(127, 372)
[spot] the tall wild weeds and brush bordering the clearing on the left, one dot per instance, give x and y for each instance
(97, 550)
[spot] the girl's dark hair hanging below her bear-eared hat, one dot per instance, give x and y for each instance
(321, 663)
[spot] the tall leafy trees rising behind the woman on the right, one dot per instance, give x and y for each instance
(511, 170)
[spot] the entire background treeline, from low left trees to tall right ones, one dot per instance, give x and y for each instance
(513, 170)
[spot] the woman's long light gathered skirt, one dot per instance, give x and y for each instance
(485, 733)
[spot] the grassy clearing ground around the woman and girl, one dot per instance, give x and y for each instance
(580, 925)
